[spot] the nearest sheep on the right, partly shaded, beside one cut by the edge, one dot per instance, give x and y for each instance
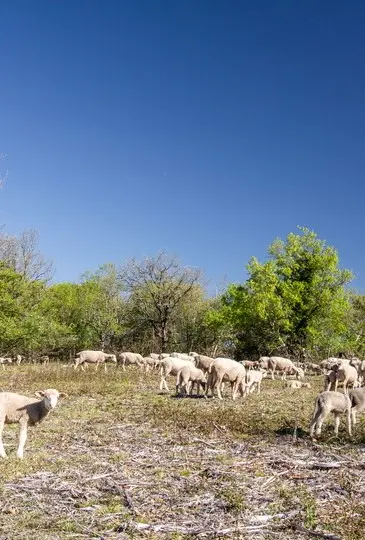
(330, 402)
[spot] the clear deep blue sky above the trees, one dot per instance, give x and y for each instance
(206, 128)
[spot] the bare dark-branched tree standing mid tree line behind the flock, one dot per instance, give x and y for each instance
(156, 286)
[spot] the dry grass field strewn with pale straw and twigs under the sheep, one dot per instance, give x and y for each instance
(117, 459)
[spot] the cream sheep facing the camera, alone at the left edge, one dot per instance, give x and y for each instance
(15, 408)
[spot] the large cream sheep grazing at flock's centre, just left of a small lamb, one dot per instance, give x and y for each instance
(225, 369)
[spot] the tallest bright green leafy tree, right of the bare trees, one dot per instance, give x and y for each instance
(294, 302)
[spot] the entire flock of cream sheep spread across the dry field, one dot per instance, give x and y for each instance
(211, 374)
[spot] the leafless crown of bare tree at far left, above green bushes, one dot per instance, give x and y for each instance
(23, 255)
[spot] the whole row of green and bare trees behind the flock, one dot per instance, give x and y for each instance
(298, 303)
